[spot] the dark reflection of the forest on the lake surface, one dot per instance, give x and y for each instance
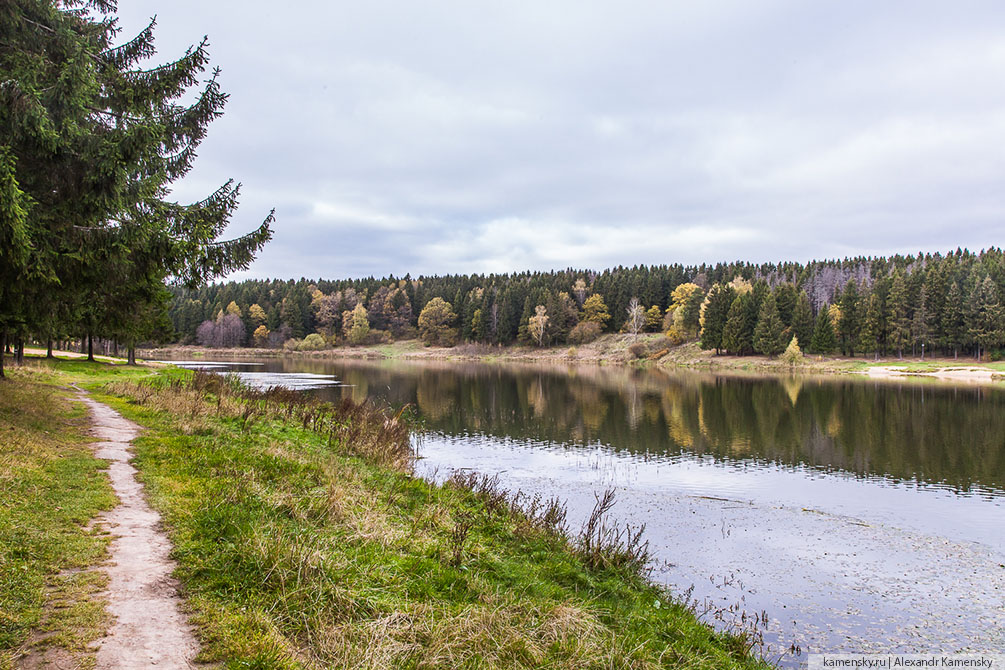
(952, 437)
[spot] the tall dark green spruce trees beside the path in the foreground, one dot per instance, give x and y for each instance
(91, 141)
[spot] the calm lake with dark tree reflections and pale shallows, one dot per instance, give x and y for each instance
(841, 515)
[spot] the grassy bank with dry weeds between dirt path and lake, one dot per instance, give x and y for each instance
(304, 542)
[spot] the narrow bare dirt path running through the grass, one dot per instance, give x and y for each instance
(150, 629)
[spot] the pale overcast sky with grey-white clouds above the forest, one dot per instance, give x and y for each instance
(483, 136)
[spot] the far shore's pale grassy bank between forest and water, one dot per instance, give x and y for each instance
(617, 350)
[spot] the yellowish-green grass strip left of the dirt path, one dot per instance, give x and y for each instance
(52, 487)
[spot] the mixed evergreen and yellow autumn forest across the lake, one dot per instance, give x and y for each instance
(882, 306)
